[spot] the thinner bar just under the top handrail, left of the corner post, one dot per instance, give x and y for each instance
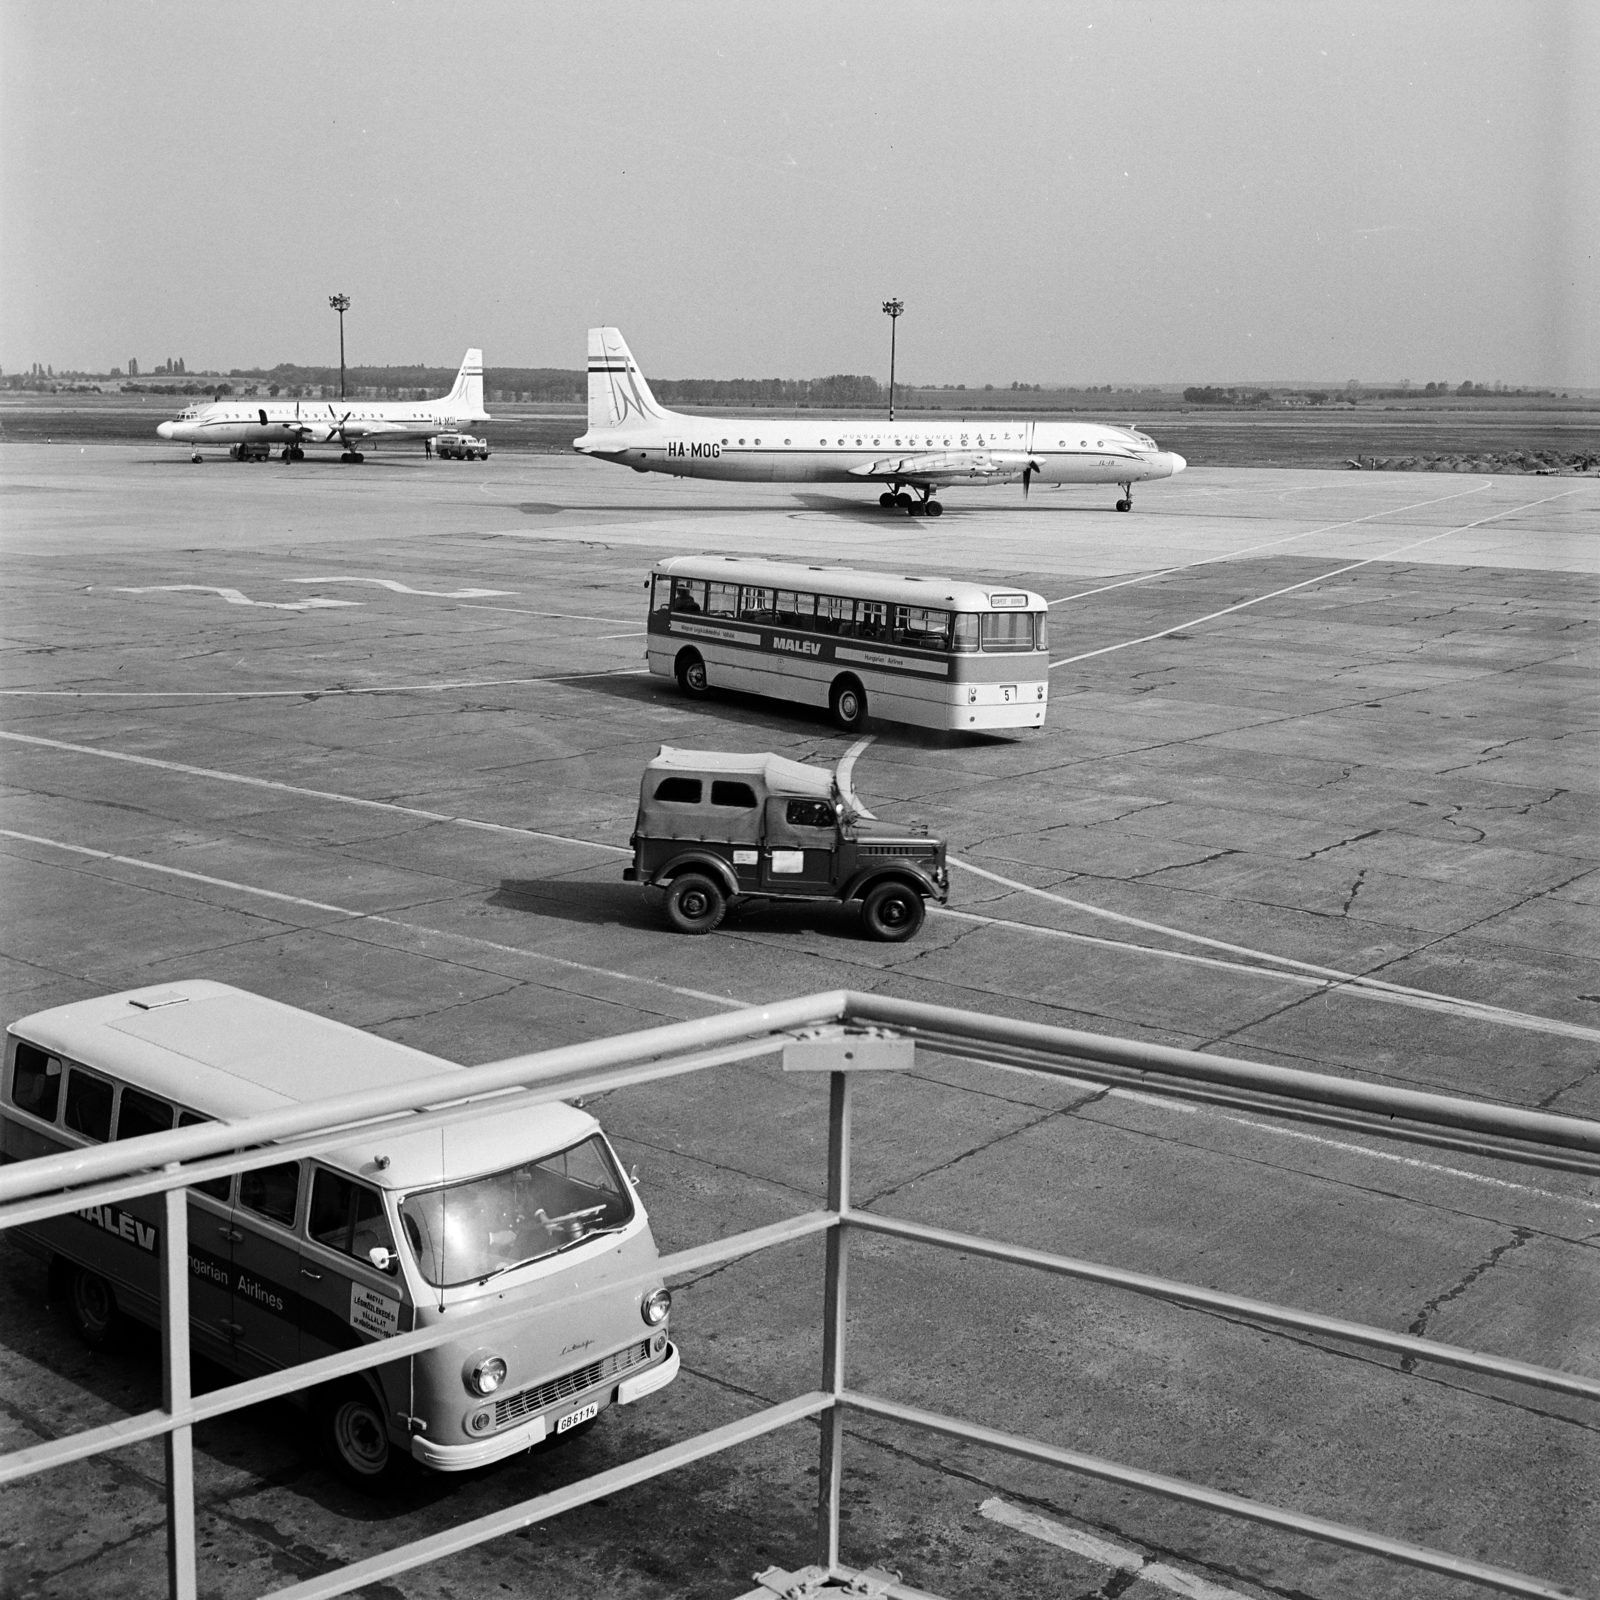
(20, 1214)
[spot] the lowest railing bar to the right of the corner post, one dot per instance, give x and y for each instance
(1502, 1578)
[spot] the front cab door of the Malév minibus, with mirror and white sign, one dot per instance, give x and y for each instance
(346, 1298)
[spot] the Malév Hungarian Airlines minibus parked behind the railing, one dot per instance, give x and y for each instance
(401, 1230)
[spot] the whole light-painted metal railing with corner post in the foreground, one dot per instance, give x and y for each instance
(841, 1034)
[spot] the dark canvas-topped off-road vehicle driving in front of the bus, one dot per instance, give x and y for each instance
(714, 828)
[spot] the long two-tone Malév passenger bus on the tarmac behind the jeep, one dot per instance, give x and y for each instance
(932, 652)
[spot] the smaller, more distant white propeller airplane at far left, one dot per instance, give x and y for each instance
(252, 428)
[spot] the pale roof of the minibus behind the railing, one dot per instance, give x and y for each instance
(231, 1055)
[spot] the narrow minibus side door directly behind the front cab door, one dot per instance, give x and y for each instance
(265, 1319)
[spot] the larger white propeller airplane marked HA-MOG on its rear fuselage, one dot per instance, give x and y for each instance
(922, 455)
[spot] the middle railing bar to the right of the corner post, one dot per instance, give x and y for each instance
(1217, 1300)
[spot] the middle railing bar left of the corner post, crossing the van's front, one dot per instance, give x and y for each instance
(310, 1375)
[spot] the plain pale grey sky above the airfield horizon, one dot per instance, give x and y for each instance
(1089, 193)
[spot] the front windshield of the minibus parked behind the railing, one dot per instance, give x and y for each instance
(470, 1231)
